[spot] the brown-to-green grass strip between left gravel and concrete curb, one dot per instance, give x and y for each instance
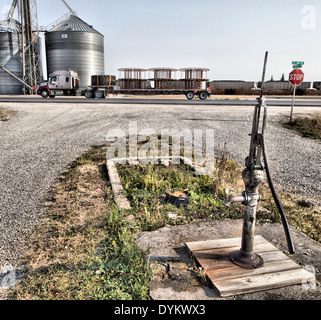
(84, 249)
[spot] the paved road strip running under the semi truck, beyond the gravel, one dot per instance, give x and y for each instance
(147, 101)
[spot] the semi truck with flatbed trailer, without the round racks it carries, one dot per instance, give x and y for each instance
(66, 83)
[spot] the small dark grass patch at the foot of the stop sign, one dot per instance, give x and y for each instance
(307, 126)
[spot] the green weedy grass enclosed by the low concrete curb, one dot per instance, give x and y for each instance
(145, 187)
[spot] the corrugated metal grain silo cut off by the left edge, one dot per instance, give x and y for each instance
(10, 56)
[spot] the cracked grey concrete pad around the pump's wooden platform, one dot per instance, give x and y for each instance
(175, 276)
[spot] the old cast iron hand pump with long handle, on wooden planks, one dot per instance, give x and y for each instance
(253, 176)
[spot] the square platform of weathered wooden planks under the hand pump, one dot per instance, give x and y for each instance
(229, 279)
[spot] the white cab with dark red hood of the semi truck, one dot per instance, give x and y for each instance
(60, 83)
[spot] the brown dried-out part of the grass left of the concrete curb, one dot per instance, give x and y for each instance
(76, 210)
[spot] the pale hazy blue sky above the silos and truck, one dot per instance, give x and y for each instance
(229, 37)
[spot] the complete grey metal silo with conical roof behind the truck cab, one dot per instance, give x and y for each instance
(75, 45)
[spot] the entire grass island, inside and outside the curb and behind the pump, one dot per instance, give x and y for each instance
(86, 249)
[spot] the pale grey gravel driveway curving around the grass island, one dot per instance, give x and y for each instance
(41, 140)
